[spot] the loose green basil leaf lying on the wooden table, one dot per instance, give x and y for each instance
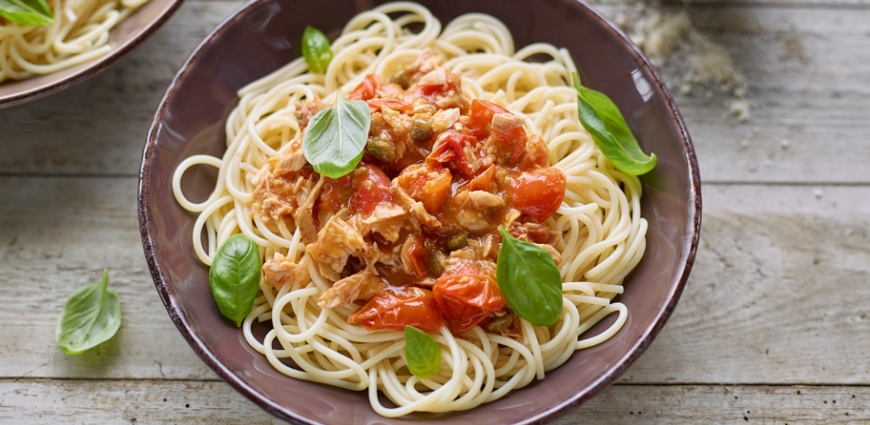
(91, 315)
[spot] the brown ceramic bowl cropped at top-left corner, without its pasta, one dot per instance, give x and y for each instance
(122, 39)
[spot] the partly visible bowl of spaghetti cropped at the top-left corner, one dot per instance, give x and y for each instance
(48, 45)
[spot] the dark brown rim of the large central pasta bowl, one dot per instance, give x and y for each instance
(178, 316)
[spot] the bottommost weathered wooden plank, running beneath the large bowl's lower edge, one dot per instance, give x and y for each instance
(171, 402)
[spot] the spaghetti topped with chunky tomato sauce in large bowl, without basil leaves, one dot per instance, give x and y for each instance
(466, 135)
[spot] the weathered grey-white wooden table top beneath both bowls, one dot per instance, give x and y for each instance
(773, 326)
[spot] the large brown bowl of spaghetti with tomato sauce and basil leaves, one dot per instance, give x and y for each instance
(443, 211)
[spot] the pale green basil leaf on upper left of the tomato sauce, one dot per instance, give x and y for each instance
(336, 136)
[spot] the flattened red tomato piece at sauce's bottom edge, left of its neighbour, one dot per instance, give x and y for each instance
(393, 308)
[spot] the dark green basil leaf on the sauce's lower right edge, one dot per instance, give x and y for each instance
(529, 280)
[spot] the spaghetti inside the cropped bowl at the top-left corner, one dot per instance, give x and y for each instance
(79, 33)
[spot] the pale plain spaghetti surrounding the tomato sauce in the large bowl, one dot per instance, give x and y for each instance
(601, 236)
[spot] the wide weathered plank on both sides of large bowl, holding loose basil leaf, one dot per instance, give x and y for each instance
(771, 298)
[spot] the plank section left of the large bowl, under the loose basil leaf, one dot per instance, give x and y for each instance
(57, 234)
